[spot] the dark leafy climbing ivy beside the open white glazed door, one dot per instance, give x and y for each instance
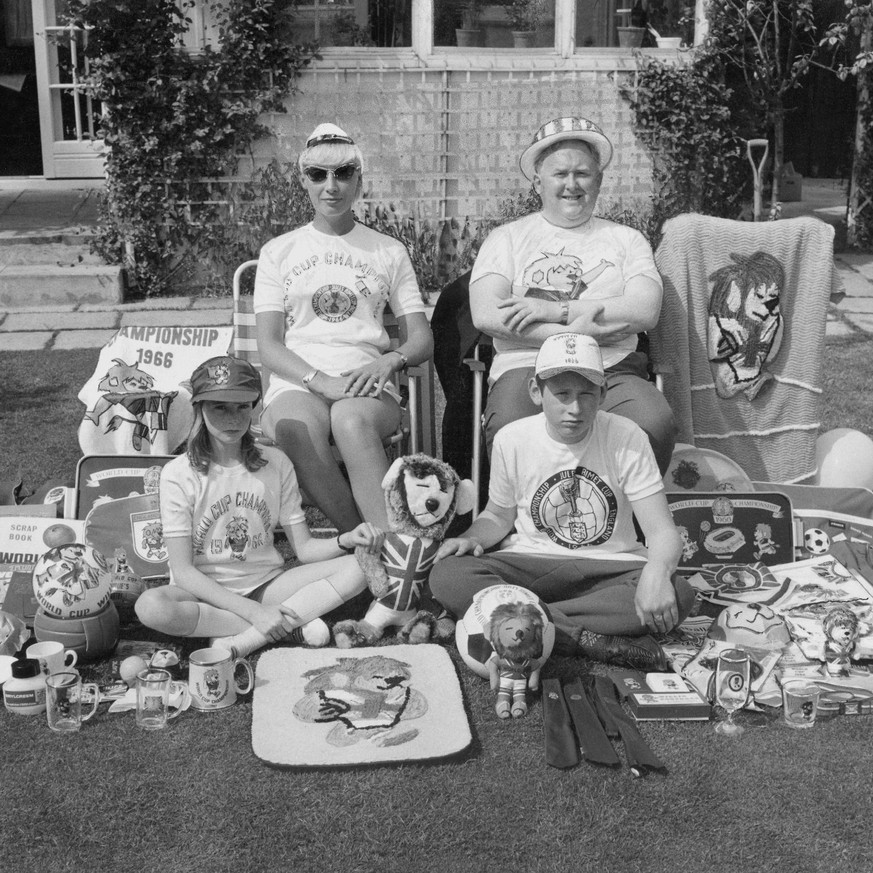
(173, 122)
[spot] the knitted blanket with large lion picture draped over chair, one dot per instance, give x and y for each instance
(740, 340)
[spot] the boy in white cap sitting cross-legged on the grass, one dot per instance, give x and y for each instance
(565, 485)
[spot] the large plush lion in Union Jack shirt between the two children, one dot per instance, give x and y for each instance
(422, 496)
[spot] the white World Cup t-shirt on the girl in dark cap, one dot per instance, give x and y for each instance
(230, 514)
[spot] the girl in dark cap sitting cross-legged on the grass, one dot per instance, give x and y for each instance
(219, 506)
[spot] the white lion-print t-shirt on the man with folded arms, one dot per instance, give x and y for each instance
(532, 253)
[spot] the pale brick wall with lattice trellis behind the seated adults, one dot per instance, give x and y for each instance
(447, 142)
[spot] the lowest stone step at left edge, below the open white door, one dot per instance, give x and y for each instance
(23, 285)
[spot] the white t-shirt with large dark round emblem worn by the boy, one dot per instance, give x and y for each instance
(573, 500)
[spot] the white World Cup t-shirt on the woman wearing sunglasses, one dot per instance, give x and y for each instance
(333, 291)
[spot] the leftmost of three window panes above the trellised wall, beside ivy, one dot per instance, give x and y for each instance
(372, 23)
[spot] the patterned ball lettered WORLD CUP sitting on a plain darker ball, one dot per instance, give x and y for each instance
(71, 581)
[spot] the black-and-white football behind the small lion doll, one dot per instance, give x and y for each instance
(471, 632)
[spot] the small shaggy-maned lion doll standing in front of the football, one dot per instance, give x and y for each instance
(515, 631)
